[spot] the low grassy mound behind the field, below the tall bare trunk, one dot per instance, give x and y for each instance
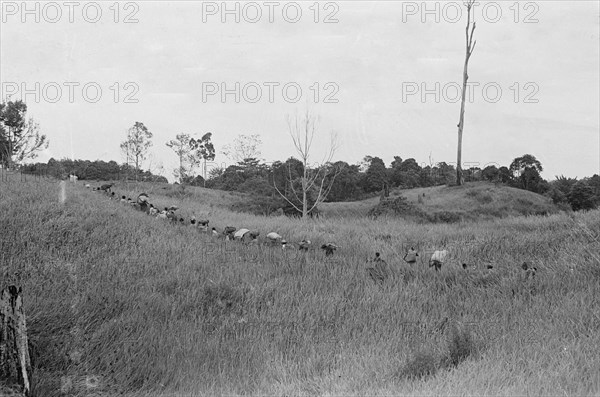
(473, 201)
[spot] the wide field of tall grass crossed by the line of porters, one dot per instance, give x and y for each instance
(119, 303)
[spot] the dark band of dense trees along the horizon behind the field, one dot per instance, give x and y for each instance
(353, 181)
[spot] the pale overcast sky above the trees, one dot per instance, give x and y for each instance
(538, 62)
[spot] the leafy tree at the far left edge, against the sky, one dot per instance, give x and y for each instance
(20, 138)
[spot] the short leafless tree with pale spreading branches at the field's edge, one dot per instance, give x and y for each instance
(320, 179)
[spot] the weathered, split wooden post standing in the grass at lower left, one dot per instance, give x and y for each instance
(15, 365)
